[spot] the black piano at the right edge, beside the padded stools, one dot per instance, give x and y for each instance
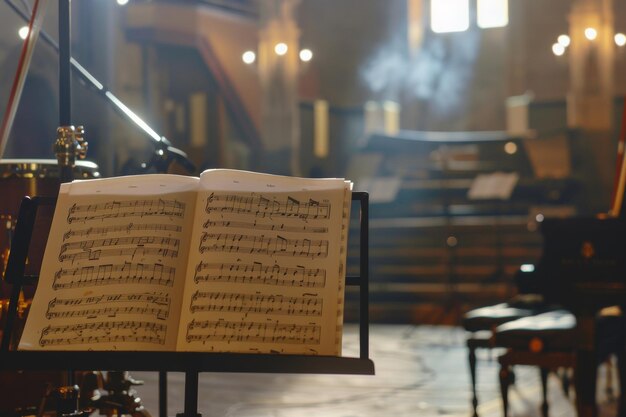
(584, 269)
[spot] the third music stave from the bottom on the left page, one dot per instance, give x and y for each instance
(110, 274)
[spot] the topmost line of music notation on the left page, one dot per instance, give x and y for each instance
(121, 209)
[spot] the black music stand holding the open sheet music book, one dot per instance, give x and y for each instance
(192, 363)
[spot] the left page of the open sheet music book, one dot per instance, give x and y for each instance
(113, 269)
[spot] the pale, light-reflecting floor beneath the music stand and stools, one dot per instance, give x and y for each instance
(420, 371)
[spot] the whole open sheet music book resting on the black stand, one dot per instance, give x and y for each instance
(232, 261)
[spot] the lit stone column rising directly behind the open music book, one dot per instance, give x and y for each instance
(280, 117)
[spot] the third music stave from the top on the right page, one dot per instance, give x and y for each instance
(279, 246)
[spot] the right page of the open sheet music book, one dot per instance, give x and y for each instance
(266, 265)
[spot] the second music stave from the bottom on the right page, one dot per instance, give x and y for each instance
(270, 304)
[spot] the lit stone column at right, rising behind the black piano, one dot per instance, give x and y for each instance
(590, 101)
